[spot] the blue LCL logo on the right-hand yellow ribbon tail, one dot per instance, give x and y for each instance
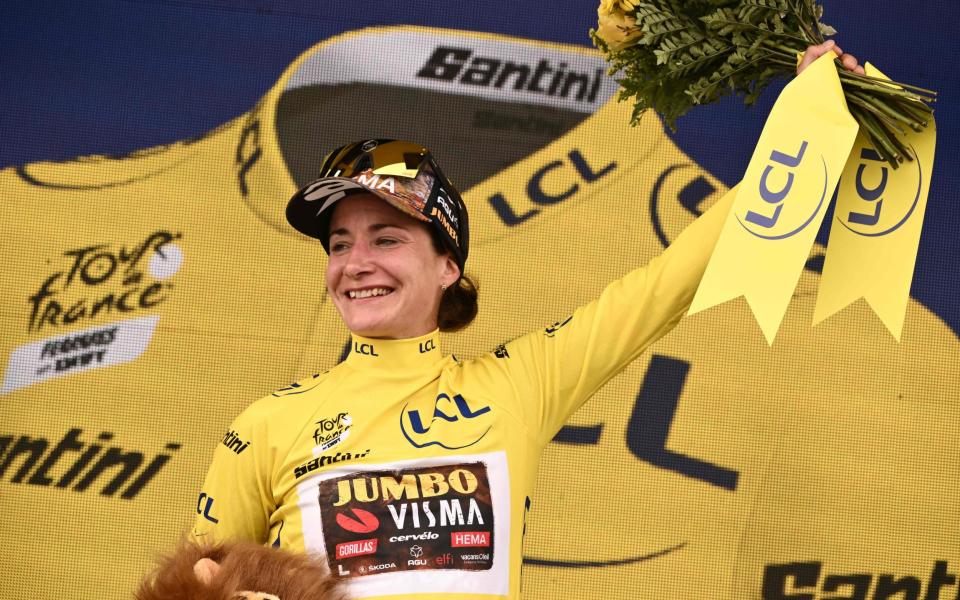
(874, 220)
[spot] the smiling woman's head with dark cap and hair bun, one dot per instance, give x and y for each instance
(392, 273)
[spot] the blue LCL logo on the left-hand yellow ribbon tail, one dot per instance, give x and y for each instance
(770, 221)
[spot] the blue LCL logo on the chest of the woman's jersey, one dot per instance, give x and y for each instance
(454, 423)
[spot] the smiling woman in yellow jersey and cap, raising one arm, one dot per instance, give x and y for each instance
(408, 472)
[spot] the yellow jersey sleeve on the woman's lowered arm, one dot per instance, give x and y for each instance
(236, 501)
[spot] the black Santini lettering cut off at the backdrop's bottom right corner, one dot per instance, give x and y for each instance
(809, 581)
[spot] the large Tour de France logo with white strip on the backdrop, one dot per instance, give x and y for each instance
(103, 281)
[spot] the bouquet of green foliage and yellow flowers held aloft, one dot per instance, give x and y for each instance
(673, 54)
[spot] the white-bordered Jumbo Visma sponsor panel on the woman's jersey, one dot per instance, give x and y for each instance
(437, 525)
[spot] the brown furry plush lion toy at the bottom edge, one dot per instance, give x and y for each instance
(238, 570)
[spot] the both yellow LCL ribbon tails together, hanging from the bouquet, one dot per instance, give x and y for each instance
(808, 141)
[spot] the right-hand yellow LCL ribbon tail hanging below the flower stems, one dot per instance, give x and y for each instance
(876, 229)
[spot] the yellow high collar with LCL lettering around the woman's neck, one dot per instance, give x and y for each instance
(413, 354)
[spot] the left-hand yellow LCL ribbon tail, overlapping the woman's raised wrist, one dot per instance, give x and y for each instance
(782, 198)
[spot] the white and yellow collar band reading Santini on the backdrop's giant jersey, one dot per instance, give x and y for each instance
(262, 175)
